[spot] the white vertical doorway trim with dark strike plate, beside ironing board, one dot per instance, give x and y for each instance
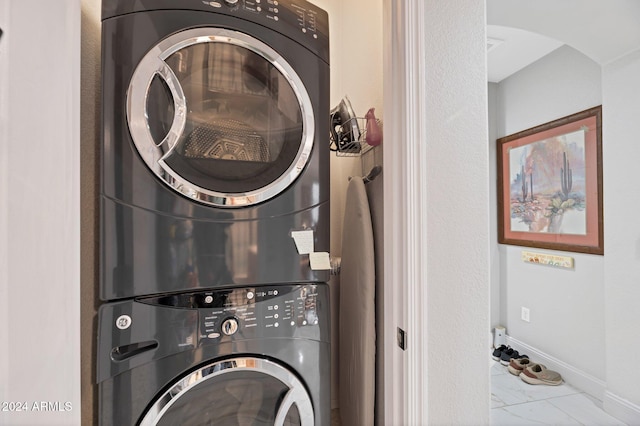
(405, 228)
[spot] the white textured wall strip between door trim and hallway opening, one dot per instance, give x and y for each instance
(457, 179)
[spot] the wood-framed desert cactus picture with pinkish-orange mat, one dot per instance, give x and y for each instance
(550, 185)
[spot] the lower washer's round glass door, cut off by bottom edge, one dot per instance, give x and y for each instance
(238, 391)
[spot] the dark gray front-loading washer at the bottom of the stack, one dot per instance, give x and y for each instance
(236, 356)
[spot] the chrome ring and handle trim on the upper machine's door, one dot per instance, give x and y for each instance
(154, 155)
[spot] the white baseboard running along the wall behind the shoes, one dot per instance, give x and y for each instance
(571, 375)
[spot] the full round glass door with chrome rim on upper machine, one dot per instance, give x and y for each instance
(220, 117)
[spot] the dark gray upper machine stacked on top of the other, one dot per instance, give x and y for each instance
(214, 144)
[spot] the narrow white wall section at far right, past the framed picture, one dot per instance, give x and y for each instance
(621, 151)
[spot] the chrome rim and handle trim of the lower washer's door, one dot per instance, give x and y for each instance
(297, 393)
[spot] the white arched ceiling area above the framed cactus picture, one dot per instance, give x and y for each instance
(520, 32)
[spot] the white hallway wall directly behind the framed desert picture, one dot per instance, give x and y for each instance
(566, 306)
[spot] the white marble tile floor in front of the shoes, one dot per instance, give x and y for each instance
(514, 402)
